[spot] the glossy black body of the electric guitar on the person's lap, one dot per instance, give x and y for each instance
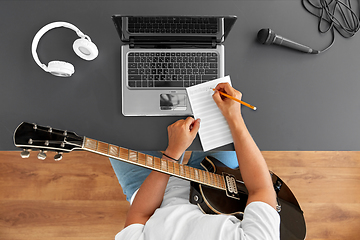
(214, 201)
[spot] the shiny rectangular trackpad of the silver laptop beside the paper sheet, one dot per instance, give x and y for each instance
(173, 101)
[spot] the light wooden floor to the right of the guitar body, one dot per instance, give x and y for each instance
(327, 186)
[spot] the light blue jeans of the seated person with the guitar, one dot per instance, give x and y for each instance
(131, 176)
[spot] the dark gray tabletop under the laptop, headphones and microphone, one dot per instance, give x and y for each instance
(305, 102)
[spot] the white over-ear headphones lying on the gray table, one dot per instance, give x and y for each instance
(83, 47)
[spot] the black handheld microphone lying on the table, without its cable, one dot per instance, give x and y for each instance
(268, 36)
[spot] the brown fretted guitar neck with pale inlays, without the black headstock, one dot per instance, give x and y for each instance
(155, 163)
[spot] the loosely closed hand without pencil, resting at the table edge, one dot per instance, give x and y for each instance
(181, 134)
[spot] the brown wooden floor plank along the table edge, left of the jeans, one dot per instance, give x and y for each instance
(79, 176)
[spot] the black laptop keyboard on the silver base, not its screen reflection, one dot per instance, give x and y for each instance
(171, 69)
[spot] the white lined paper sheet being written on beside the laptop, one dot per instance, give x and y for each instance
(214, 130)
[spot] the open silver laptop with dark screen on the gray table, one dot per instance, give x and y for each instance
(162, 55)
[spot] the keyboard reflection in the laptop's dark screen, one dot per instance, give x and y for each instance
(204, 25)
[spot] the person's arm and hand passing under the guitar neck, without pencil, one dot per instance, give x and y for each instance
(150, 195)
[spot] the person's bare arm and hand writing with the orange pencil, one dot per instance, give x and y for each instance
(252, 165)
